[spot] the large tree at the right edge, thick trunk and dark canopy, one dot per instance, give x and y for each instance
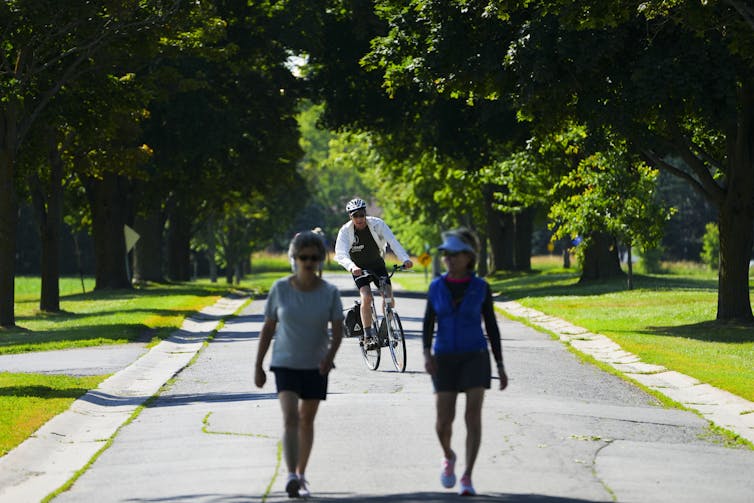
(702, 112)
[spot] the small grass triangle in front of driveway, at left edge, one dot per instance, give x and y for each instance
(27, 401)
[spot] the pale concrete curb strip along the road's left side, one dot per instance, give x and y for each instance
(66, 443)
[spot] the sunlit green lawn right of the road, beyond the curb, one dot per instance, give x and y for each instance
(667, 319)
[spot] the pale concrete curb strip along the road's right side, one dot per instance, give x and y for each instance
(720, 407)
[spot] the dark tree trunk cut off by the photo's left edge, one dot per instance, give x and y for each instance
(8, 216)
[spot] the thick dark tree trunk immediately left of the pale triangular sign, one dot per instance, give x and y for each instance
(107, 200)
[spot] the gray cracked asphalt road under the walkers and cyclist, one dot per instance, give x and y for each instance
(564, 431)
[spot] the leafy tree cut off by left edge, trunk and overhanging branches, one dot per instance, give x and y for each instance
(44, 49)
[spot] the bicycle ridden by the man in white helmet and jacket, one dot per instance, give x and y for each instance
(390, 333)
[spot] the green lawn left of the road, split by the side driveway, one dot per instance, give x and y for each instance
(149, 313)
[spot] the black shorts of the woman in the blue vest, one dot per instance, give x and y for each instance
(462, 371)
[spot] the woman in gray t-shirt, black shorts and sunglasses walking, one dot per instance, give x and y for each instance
(297, 313)
